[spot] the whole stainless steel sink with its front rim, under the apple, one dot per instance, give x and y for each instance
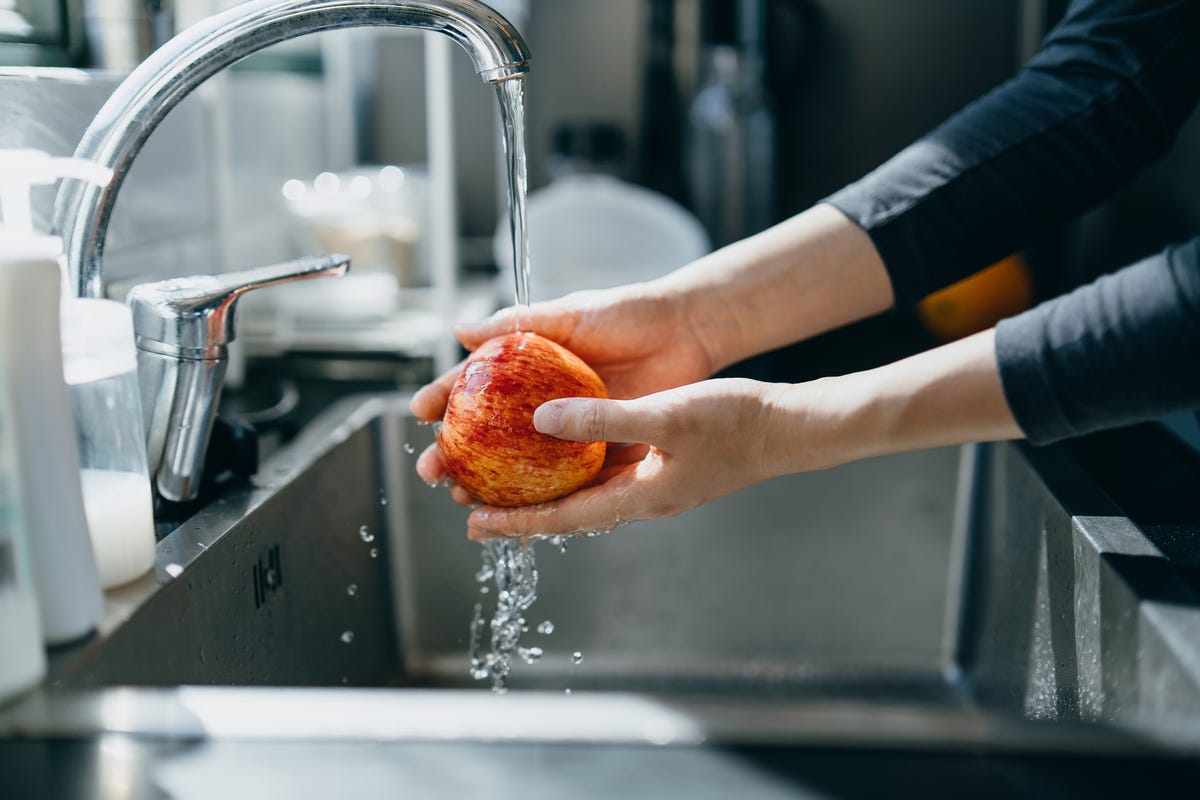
(332, 598)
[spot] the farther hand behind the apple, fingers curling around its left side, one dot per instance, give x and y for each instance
(639, 339)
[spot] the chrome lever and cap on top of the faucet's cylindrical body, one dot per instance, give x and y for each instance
(195, 316)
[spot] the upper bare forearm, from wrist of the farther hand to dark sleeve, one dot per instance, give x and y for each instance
(802, 278)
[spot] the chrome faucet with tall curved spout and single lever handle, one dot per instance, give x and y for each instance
(179, 399)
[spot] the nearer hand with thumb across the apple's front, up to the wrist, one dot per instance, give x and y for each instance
(686, 447)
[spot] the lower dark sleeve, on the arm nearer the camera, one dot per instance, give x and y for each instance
(1123, 350)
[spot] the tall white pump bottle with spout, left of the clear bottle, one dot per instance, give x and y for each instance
(32, 281)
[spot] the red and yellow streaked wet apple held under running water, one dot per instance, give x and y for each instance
(488, 440)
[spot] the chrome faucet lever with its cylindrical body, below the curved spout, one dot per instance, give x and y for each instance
(183, 327)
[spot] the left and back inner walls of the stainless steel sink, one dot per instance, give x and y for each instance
(340, 567)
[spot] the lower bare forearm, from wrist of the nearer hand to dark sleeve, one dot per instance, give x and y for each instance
(950, 395)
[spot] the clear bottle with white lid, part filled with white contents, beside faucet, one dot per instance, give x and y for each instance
(100, 363)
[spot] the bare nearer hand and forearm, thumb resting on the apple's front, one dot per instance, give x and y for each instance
(701, 442)
